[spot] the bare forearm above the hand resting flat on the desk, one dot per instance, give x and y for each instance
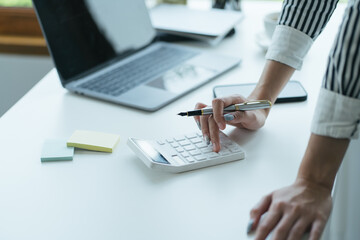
(322, 160)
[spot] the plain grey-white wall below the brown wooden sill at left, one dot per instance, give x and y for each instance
(18, 74)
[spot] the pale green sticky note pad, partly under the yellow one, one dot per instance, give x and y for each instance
(56, 150)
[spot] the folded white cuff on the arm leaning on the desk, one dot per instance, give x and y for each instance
(336, 115)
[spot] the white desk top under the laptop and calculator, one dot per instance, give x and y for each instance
(114, 196)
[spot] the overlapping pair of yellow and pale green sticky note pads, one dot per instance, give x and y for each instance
(58, 150)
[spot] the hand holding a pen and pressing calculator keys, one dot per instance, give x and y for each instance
(211, 124)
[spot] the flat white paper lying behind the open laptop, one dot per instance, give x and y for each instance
(214, 22)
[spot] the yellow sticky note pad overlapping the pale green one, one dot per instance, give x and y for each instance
(96, 141)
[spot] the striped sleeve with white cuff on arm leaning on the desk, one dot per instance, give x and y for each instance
(338, 109)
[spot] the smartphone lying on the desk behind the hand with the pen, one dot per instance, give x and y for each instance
(292, 92)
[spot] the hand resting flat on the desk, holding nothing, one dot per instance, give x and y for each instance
(291, 211)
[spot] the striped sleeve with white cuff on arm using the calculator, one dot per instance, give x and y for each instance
(300, 22)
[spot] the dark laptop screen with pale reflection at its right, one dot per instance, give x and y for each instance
(83, 35)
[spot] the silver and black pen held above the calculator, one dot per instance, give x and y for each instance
(245, 106)
